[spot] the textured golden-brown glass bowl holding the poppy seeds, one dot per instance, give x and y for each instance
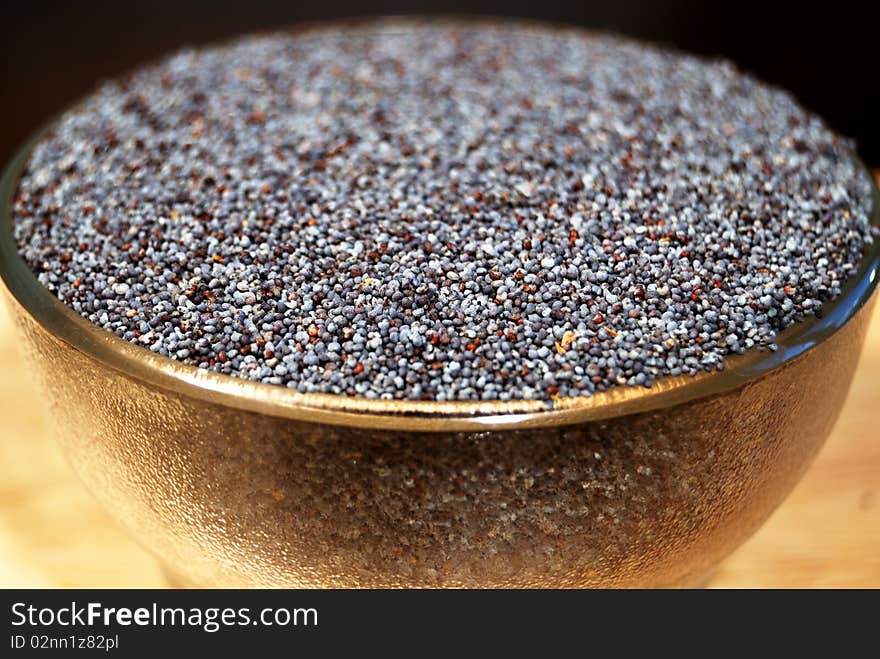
(235, 483)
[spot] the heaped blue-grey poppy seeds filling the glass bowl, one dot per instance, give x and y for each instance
(443, 212)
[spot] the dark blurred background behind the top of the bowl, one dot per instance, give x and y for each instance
(54, 52)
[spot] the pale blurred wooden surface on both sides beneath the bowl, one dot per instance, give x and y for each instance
(827, 534)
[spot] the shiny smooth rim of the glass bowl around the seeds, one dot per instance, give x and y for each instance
(139, 363)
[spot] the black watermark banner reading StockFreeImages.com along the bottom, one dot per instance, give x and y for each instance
(413, 623)
